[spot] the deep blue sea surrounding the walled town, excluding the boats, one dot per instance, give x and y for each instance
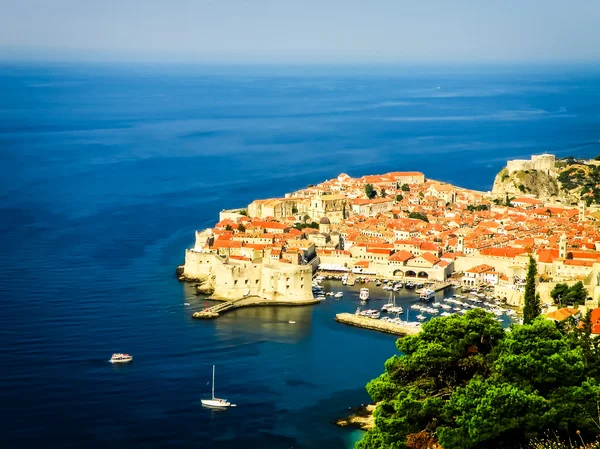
(107, 171)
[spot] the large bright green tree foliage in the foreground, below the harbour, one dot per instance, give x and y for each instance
(467, 383)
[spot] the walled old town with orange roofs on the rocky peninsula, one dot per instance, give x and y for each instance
(401, 225)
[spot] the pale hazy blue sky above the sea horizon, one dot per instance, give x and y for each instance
(301, 31)
